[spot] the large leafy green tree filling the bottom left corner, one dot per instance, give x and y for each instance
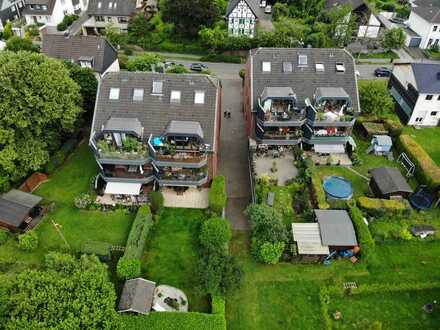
(78, 295)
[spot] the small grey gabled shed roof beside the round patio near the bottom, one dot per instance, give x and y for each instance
(137, 296)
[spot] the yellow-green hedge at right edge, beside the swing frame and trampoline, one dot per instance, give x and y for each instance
(427, 170)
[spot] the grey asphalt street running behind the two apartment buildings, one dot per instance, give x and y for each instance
(230, 71)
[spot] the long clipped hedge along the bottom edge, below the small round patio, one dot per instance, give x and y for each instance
(171, 321)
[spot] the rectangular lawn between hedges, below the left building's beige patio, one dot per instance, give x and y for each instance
(172, 254)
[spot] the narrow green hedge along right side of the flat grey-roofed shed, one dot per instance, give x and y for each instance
(366, 241)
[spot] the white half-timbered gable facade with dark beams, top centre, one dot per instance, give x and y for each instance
(242, 21)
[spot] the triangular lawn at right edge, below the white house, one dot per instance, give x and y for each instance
(428, 138)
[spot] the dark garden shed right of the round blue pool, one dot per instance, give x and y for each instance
(388, 182)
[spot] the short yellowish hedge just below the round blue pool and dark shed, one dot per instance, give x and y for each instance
(380, 207)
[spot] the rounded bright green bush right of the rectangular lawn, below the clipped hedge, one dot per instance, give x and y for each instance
(215, 235)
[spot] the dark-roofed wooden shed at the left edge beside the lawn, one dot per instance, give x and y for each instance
(18, 210)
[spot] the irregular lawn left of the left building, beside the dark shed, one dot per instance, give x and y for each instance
(77, 226)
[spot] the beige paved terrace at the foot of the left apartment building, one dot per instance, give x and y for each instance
(192, 198)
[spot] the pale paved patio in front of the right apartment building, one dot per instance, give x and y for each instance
(285, 169)
